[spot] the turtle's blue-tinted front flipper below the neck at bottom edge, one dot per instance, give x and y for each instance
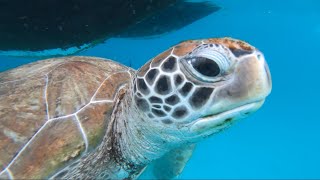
(170, 165)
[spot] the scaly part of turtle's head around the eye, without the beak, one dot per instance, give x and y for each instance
(176, 86)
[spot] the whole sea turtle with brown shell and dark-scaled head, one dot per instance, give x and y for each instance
(86, 117)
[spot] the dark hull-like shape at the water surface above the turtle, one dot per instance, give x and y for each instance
(38, 27)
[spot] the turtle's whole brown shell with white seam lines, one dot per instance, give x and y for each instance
(55, 111)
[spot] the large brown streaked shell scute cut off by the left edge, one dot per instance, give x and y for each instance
(19, 119)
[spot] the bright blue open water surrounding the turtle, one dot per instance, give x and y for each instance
(281, 140)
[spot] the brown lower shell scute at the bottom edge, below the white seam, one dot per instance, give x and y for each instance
(50, 146)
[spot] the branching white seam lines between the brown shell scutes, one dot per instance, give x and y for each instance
(62, 117)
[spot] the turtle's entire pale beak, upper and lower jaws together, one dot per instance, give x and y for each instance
(243, 93)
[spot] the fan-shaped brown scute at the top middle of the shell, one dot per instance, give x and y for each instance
(71, 87)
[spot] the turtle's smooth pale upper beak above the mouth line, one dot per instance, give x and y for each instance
(251, 82)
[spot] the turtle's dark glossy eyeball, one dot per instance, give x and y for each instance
(205, 66)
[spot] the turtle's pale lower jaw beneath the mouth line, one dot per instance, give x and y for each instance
(218, 121)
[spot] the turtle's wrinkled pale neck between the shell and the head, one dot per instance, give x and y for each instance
(136, 140)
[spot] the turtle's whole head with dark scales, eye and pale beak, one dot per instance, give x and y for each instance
(200, 87)
